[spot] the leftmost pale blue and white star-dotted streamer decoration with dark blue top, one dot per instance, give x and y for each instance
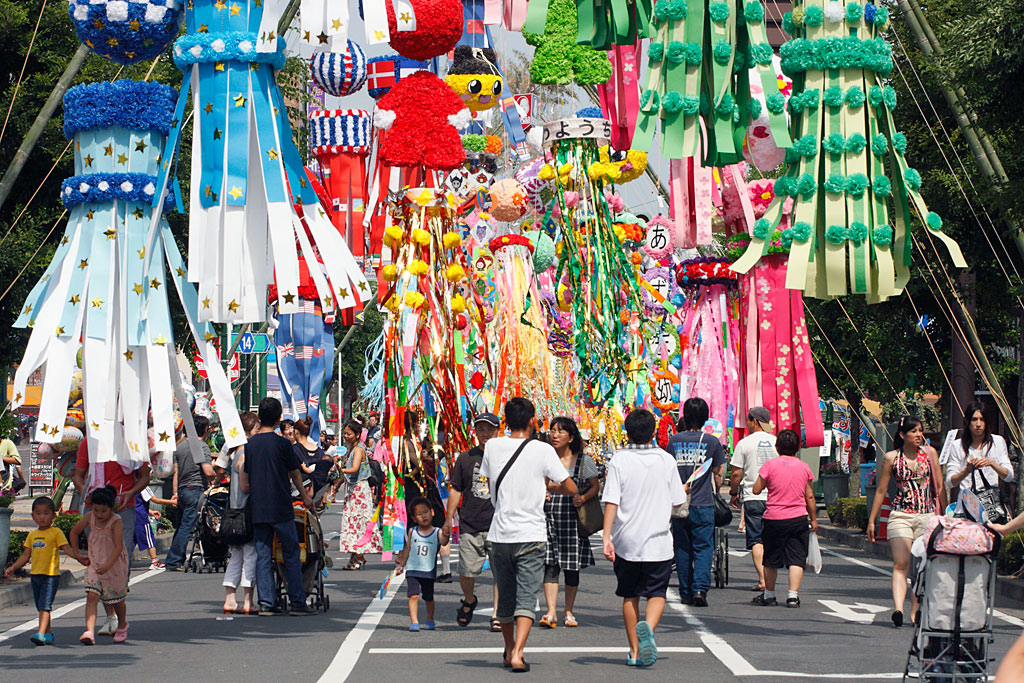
(106, 290)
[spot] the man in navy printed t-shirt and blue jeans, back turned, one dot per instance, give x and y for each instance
(695, 535)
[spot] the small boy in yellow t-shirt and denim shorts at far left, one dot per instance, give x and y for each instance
(44, 547)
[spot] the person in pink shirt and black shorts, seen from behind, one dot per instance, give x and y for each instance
(791, 504)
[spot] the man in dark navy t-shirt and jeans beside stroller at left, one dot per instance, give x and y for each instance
(271, 469)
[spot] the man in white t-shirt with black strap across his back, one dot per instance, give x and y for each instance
(519, 530)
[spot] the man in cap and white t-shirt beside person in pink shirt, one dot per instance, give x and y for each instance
(752, 452)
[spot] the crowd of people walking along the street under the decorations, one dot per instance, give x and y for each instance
(518, 499)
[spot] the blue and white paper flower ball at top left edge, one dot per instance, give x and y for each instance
(125, 32)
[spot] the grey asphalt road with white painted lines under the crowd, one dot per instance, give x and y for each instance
(842, 632)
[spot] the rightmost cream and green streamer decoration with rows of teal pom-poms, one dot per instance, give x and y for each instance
(847, 174)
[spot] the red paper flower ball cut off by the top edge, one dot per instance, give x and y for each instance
(439, 28)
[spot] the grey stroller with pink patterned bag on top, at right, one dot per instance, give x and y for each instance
(956, 586)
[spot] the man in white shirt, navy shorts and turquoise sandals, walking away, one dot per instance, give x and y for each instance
(642, 489)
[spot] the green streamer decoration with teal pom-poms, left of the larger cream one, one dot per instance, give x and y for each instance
(699, 86)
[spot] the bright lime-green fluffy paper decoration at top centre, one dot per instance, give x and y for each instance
(560, 60)
